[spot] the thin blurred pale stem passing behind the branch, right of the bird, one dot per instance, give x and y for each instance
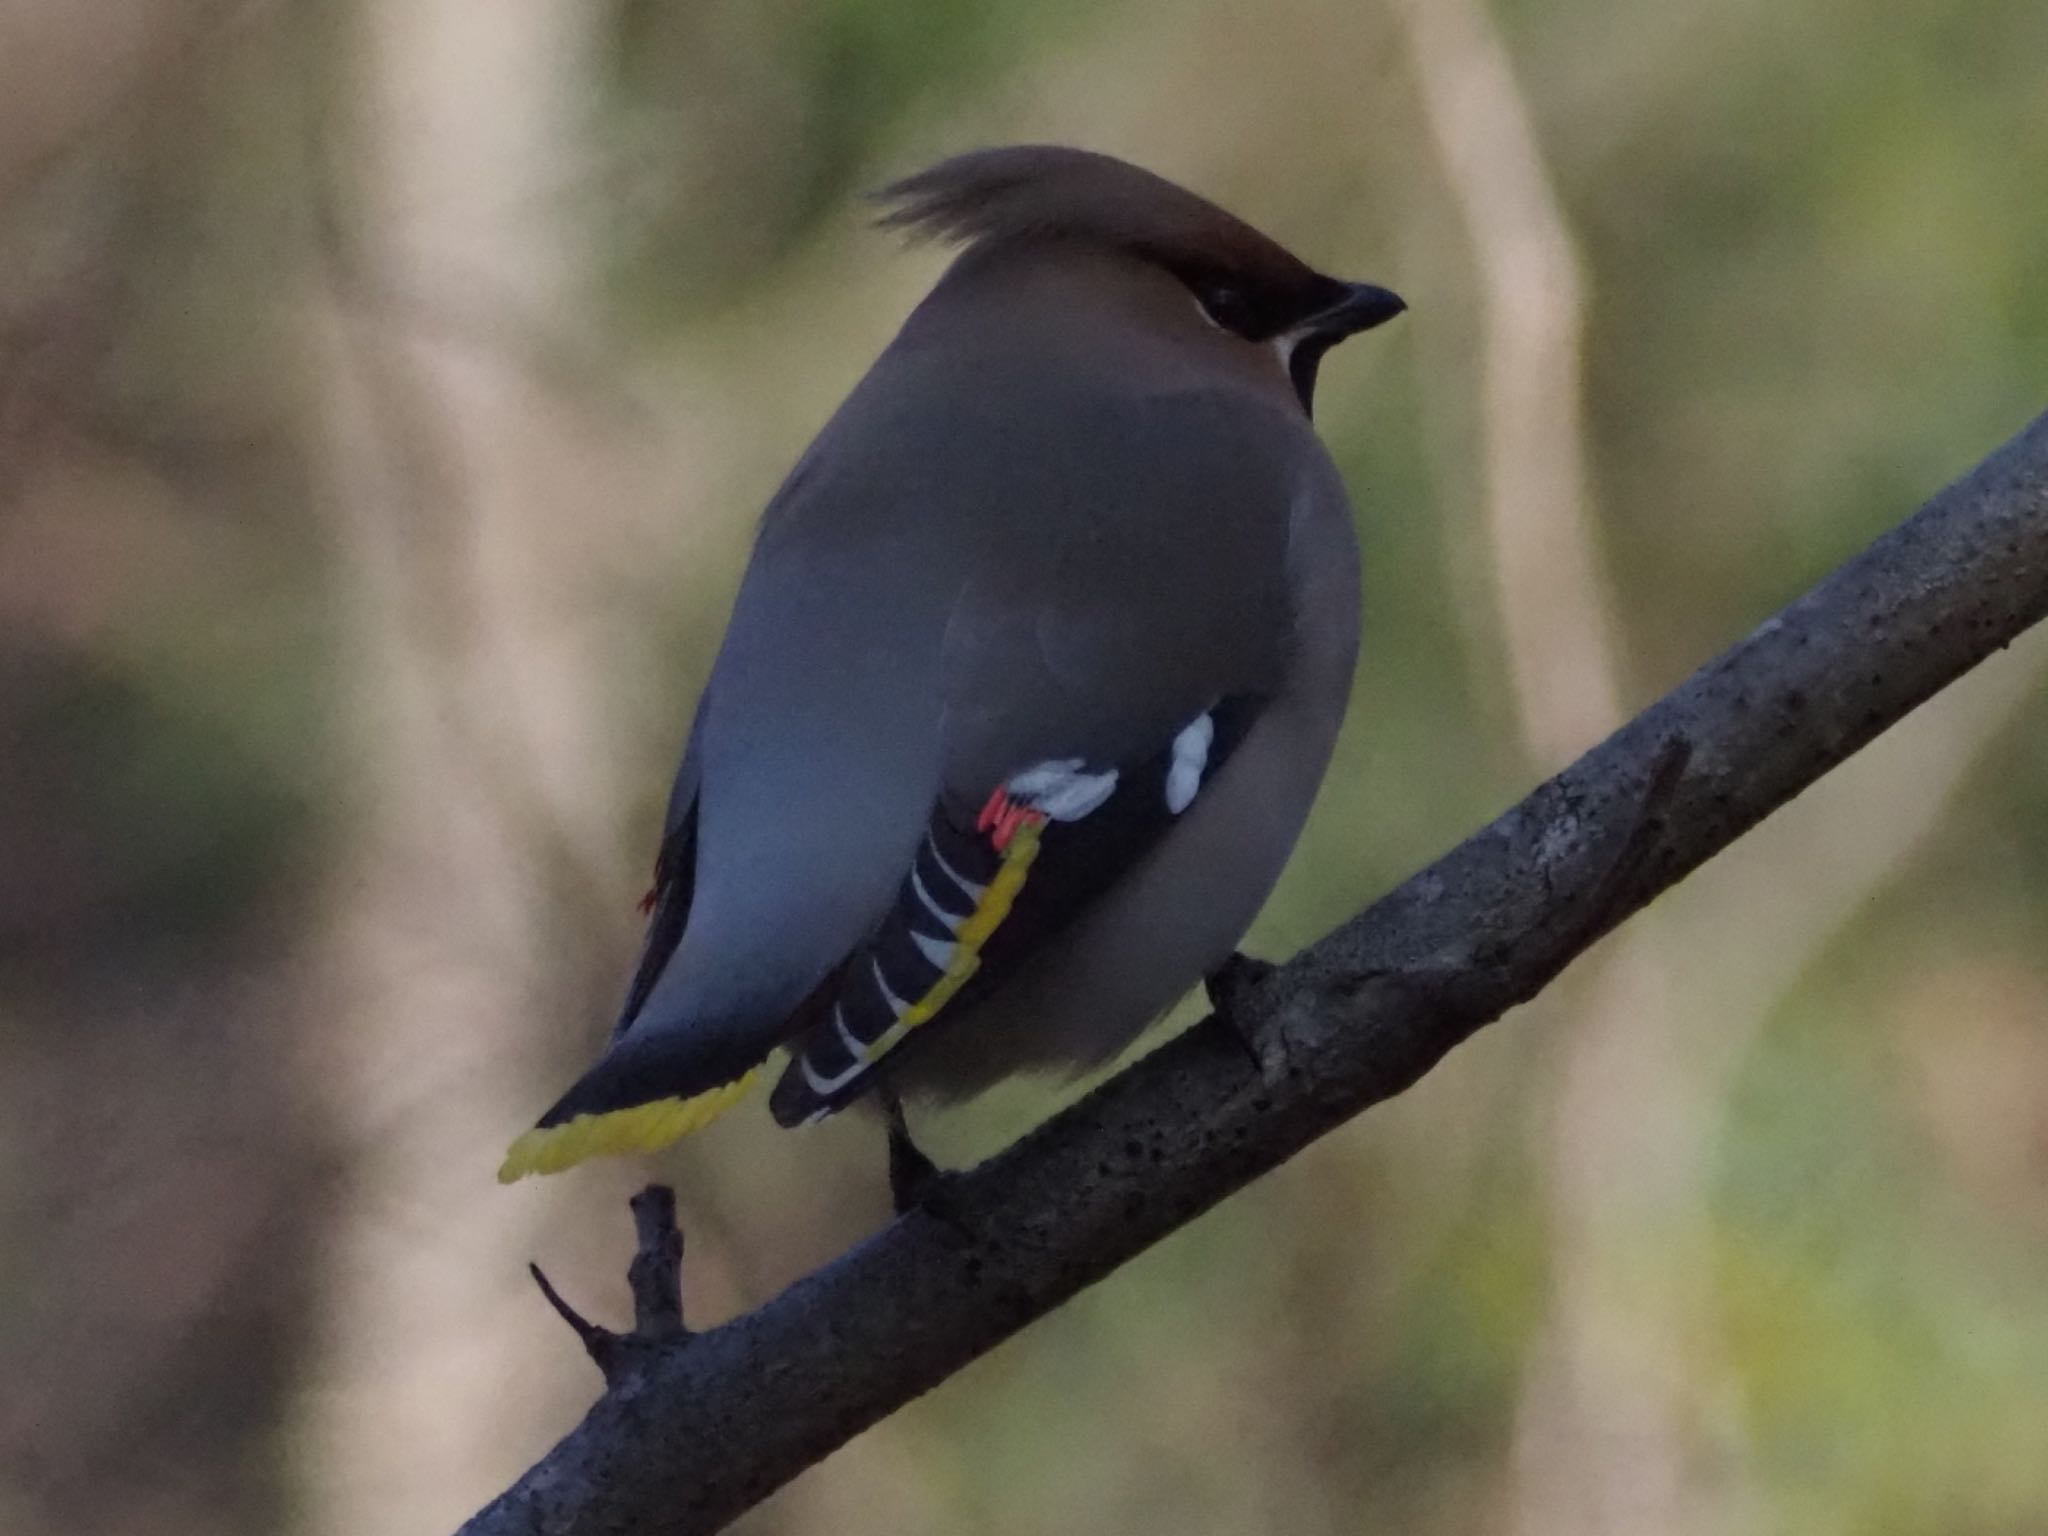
(1607, 1435)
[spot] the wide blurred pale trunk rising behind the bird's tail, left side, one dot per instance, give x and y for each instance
(452, 472)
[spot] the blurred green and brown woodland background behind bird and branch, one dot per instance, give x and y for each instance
(386, 396)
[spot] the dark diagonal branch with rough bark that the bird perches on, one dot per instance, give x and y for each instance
(701, 1428)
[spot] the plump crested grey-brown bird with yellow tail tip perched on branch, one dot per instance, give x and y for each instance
(1035, 671)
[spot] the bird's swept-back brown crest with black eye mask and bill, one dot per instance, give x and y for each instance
(1244, 282)
